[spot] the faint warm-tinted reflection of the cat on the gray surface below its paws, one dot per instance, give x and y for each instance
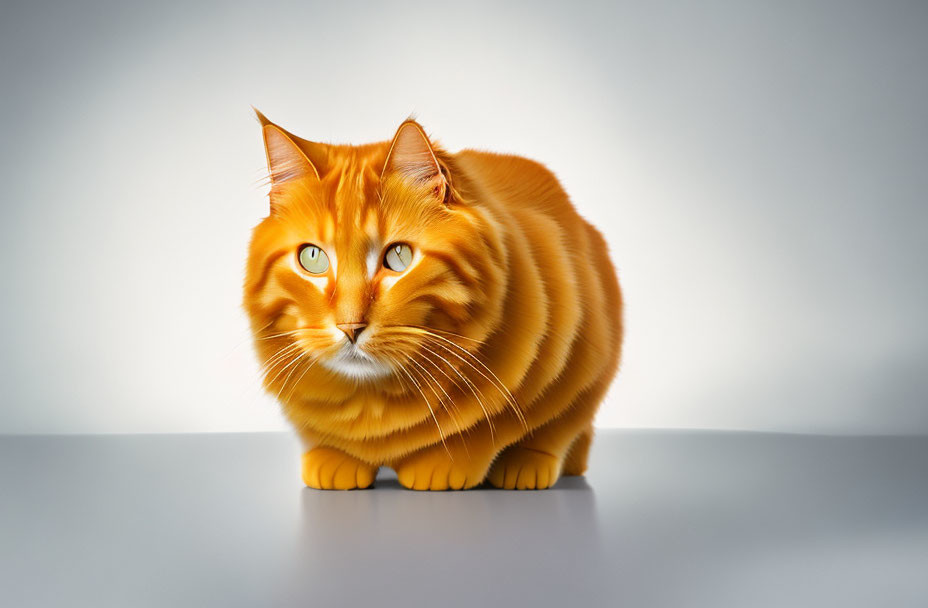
(482, 545)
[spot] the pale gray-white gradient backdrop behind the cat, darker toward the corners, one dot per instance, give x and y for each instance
(760, 172)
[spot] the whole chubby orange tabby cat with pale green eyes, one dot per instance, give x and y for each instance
(447, 315)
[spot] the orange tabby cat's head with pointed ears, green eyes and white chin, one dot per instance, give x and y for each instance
(373, 261)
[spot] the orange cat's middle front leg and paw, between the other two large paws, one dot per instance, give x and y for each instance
(459, 463)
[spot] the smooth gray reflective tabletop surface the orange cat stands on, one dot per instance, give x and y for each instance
(663, 519)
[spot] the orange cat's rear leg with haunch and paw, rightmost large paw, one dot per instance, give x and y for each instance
(537, 461)
